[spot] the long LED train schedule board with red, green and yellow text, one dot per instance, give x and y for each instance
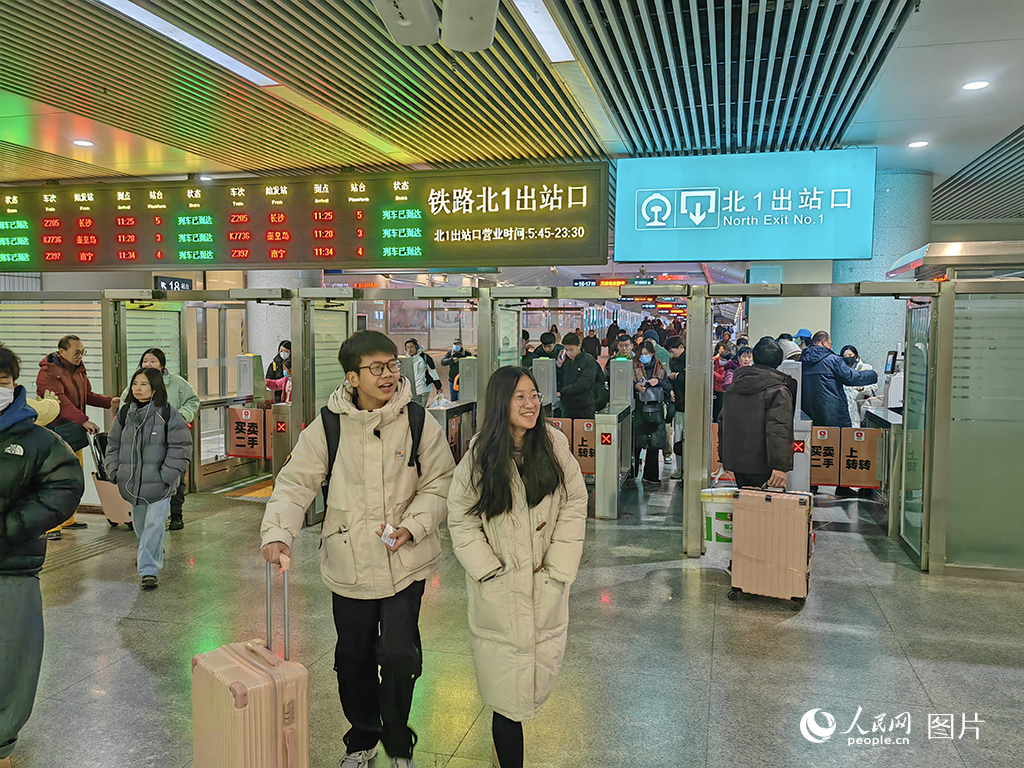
(533, 216)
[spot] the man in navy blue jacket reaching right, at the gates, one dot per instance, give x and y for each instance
(825, 375)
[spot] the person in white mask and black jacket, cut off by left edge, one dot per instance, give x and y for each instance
(41, 485)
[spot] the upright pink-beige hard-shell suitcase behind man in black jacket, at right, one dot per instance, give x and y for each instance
(773, 543)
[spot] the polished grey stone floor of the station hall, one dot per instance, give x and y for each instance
(662, 669)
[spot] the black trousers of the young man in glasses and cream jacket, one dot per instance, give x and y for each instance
(381, 634)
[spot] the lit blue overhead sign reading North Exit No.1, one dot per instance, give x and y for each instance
(776, 206)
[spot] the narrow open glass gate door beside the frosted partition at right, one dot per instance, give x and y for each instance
(915, 418)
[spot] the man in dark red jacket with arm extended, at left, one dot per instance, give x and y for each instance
(64, 374)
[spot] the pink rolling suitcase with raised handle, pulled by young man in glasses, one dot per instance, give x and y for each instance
(250, 708)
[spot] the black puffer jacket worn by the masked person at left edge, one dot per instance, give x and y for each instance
(41, 484)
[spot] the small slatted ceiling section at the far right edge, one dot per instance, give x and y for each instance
(990, 188)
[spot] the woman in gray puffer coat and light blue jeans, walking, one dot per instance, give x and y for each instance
(147, 456)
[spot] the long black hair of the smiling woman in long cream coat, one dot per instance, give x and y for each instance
(541, 473)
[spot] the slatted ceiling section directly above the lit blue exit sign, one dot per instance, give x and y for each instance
(728, 76)
